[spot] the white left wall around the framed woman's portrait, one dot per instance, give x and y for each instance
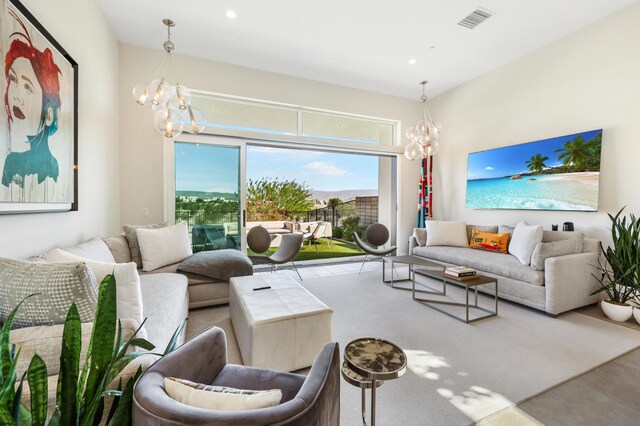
(78, 25)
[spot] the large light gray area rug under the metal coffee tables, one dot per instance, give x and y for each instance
(457, 373)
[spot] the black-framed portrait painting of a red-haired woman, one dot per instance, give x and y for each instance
(38, 124)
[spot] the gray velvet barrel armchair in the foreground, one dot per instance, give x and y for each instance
(314, 400)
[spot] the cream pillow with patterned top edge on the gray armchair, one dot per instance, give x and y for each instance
(220, 397)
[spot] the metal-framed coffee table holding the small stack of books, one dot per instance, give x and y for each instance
(474, 283)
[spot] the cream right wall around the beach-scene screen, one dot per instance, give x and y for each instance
(587, 80)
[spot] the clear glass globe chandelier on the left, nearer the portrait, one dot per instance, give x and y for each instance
(170, 104)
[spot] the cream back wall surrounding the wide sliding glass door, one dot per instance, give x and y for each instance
(141, 147)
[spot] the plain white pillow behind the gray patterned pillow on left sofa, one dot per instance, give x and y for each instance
(129, 297)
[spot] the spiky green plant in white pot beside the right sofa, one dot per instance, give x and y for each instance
(620, 272)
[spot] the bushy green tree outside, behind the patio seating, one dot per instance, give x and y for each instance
(273, 199)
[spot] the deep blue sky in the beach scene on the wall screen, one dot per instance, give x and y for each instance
(511, 159)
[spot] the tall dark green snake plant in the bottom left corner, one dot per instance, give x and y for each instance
(81, 391)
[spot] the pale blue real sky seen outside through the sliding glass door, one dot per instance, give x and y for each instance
(213, 168)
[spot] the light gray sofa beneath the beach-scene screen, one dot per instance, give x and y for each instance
(565, 283)
